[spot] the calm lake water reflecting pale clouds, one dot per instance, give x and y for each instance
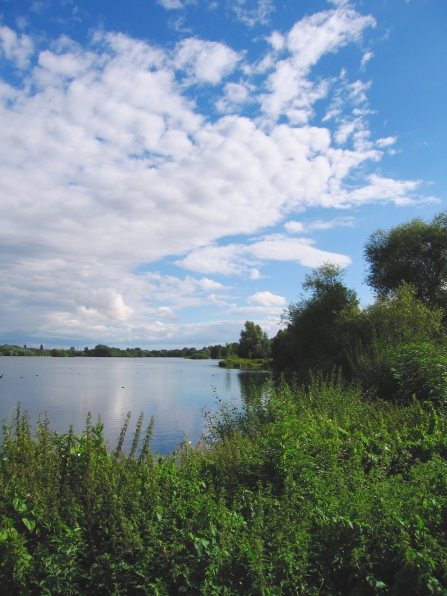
(174, 390)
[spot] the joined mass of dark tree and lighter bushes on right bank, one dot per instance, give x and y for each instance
(392, 349)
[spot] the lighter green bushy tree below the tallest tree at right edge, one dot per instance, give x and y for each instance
(393, 341)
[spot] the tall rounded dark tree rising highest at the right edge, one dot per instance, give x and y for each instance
(414, 252)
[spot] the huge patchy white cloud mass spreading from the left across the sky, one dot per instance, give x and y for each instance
(107, 165)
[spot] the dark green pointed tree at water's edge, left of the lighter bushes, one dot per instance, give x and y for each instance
(314, 338)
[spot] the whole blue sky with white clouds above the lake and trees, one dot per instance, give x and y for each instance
(170, 169)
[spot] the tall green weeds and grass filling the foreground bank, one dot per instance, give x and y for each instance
(309, 492)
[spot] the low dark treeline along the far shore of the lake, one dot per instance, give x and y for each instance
(103, 351)
